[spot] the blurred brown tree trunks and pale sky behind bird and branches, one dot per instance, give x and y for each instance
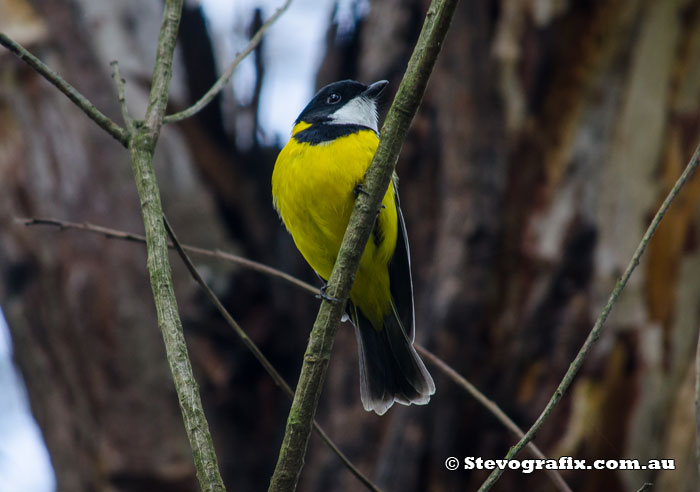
(550, 133)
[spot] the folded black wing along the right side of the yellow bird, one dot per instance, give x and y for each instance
(401, 284)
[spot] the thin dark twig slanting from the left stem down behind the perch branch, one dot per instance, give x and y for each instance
(250, 345)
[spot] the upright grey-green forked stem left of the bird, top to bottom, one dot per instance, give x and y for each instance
(142, 147)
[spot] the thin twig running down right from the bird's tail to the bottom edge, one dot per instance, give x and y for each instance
(495, 410)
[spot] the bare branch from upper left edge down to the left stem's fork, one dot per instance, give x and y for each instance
(78, 99)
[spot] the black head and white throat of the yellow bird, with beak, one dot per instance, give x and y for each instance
(344, 102)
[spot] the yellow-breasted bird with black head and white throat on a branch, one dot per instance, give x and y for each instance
(315, 181)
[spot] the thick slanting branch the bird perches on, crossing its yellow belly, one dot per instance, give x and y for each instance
(317, 356)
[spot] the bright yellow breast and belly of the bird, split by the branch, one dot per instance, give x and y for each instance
(313, 191)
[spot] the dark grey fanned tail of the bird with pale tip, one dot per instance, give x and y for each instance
(390, 368)
